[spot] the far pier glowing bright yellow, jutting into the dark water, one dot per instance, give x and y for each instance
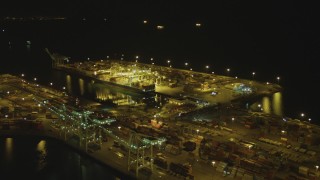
(207, 88)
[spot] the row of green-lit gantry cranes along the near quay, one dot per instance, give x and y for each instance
(88, 130)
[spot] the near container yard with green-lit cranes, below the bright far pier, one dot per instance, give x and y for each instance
(177, 139)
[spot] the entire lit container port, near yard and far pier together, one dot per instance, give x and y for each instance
(173, 139)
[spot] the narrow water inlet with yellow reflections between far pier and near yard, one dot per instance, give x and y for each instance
(87, 88)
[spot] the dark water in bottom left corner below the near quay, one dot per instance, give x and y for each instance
(48, 159)
